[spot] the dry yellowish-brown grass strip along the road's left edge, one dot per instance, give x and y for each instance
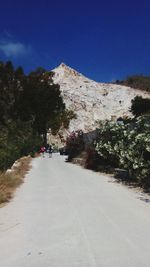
(10, 180)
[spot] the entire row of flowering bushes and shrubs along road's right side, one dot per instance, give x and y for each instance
(122, 145)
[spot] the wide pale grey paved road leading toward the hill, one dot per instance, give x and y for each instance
(65, 216)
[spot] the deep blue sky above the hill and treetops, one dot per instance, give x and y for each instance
(105, 40)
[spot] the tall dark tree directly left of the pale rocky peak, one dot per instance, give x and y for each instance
(42, 103)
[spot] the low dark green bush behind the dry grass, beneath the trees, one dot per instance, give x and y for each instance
(17, 139)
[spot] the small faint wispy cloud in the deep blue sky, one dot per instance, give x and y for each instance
(14, 49)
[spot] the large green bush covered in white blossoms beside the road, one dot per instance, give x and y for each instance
(127, 146)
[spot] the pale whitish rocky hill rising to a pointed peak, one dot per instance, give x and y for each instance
(93, 101)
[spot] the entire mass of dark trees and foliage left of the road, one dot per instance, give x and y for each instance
(29, 106)
